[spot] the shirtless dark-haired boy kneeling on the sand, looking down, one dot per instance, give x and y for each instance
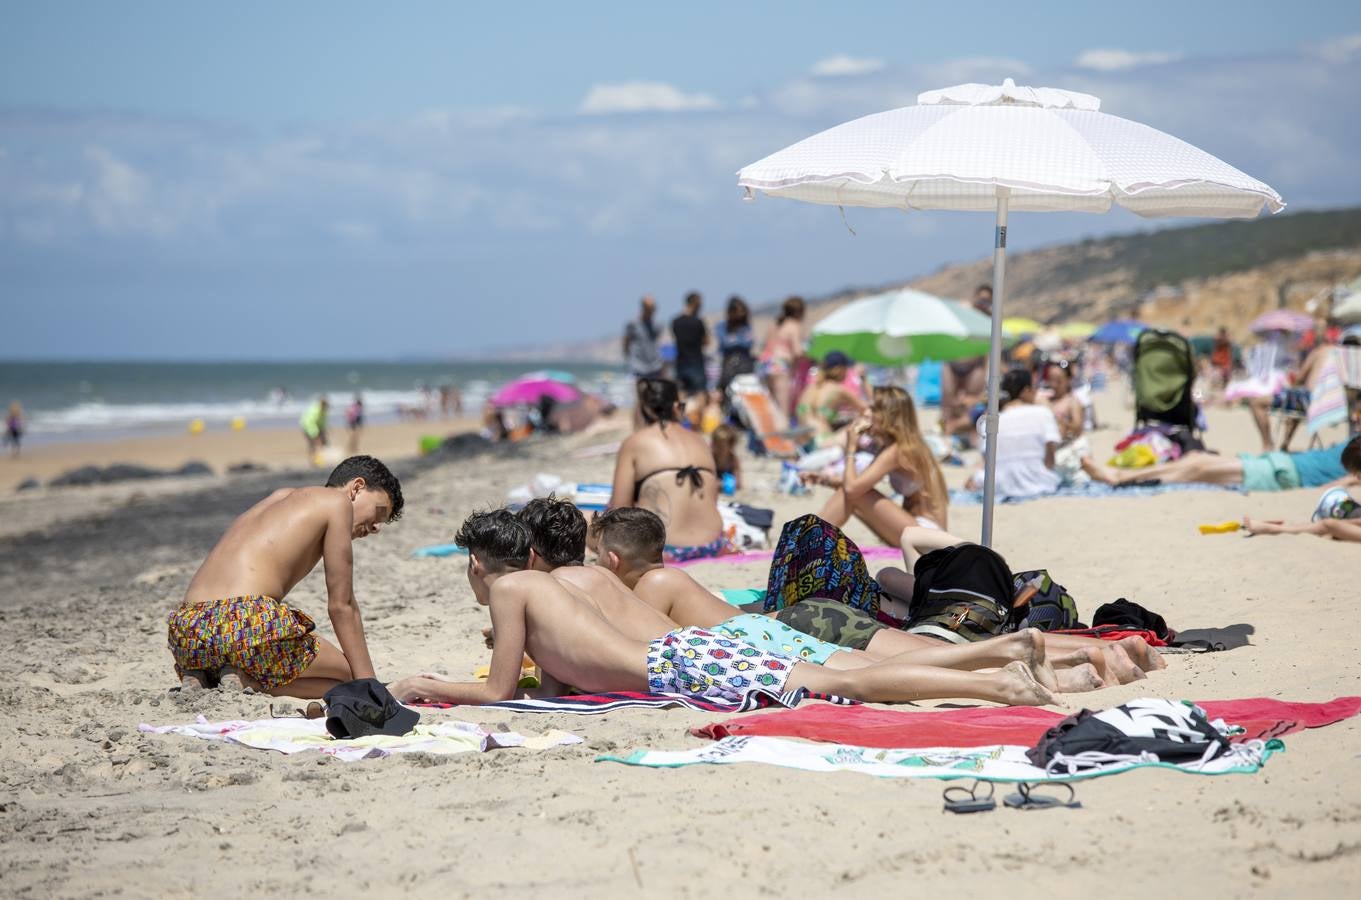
(233, 627)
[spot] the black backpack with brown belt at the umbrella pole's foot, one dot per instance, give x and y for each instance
(963, 594)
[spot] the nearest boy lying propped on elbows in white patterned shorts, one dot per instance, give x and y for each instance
(568, 635)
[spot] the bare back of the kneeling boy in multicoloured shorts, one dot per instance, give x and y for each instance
(269, 549)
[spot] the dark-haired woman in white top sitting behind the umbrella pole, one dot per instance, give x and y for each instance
(1028, 438)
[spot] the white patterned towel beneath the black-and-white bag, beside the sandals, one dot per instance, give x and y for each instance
(997, 763)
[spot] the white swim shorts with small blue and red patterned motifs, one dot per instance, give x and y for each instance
(696, 662)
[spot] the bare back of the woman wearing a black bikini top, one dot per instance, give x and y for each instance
(649, 475)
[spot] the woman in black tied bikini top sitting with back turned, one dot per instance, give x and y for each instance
(670, 470)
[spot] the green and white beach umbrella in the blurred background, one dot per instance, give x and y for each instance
(903, 327)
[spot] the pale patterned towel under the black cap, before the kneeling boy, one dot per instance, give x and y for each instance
(310, 736)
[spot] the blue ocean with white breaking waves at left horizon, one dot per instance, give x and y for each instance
(101, 401)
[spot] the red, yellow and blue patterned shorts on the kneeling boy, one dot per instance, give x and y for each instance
(265, 638)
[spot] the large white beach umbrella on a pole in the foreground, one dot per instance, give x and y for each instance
(998, 149)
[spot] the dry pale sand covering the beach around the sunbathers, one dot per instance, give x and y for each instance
(92, 808)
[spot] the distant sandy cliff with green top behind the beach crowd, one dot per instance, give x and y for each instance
(1193, 280)
